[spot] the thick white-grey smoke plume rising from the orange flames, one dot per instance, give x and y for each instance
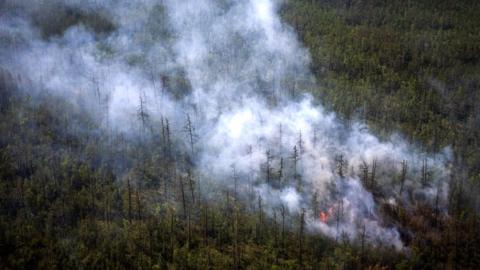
(237, 73)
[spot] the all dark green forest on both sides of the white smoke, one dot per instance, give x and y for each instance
(74, 197)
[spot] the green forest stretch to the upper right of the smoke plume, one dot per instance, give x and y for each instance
(411, 66)
